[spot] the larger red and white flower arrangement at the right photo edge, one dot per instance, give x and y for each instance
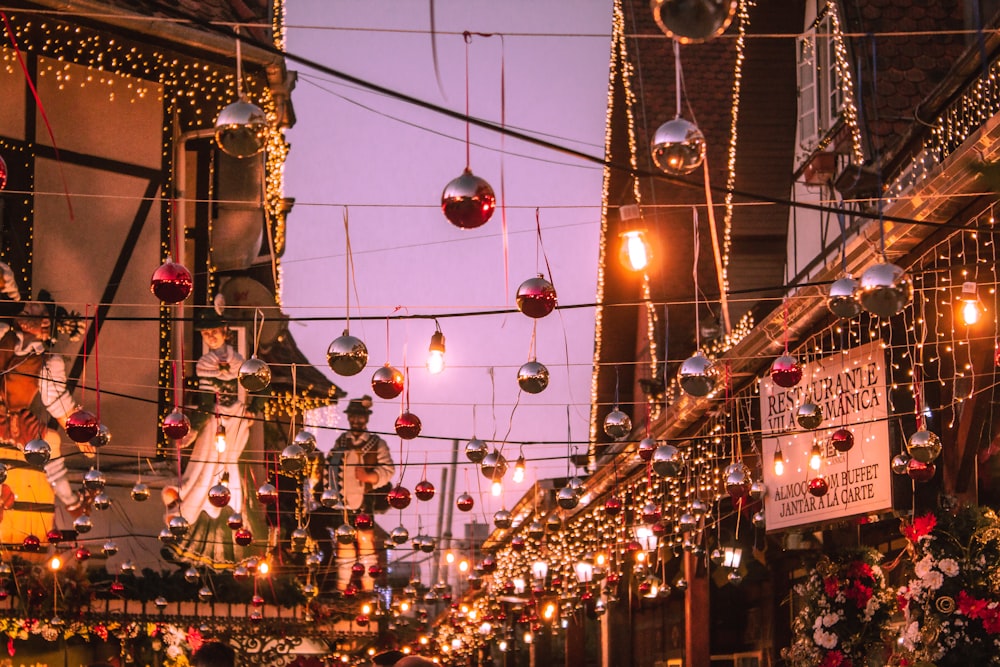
(951, 606)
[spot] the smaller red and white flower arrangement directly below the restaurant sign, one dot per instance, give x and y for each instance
(846, 606)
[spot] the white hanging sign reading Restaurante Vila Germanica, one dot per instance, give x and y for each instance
(850, 388)
